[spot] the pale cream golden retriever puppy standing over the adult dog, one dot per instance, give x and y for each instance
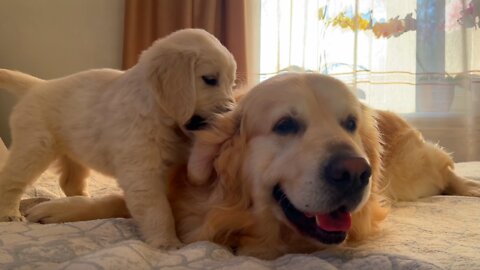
(133, 125)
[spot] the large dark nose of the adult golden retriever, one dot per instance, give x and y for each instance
(348, 173)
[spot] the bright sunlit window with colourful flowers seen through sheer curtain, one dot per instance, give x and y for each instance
(402, 67)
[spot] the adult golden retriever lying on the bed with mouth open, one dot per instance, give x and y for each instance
(299, 164)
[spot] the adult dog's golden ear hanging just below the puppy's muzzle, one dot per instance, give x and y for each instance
(208, 146)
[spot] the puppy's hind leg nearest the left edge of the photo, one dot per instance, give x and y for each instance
(27, 160)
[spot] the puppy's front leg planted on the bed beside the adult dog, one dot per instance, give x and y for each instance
(146, 199)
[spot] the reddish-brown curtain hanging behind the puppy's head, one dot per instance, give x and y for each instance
(148, 20)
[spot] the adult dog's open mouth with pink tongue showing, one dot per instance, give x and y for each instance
(327, 228)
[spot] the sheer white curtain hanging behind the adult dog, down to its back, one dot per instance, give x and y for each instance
(420, 58)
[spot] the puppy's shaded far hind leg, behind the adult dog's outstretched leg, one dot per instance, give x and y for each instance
(73, 179)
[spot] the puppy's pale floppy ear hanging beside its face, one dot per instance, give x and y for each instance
(170, 71)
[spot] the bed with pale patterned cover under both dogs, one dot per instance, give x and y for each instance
(441, 232)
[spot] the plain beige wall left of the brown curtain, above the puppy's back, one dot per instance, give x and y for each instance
(53, 38)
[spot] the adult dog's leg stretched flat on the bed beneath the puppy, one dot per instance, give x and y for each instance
(78, 208)
